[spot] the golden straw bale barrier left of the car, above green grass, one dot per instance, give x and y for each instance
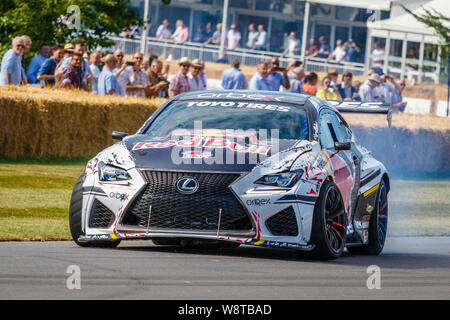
(61, 123)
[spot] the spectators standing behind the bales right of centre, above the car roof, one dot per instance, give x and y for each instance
(269, 76)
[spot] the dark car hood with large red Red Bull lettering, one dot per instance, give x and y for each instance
(202, 153)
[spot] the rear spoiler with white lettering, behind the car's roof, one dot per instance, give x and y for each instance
(364, 107)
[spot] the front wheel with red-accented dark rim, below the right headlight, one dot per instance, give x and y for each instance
(329, 226)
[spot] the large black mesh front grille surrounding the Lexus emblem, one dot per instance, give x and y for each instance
(194, 212)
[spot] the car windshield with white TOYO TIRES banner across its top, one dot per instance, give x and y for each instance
(274, 118)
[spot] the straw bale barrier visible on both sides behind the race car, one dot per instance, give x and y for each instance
(42, 123)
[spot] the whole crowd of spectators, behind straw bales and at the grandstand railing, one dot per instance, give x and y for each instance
(70, 67)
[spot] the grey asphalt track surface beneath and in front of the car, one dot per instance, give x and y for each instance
(411, 268)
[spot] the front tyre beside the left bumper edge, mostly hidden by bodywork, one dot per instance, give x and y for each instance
(76, 204)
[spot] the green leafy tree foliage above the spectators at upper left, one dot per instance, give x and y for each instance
(51, 21)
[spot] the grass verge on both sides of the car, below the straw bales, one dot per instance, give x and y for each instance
(35, 195)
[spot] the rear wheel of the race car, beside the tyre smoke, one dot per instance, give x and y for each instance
(377, 225)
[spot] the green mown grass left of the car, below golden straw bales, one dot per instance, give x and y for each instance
(34, 199)
